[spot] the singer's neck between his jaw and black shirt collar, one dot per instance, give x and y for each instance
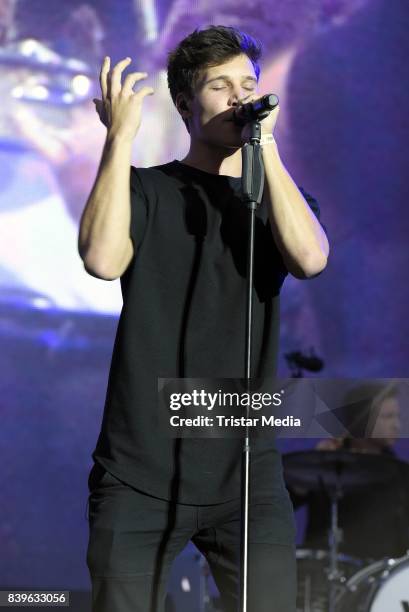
(214, 160)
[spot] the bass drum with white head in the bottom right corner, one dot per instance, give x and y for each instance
(382, 586)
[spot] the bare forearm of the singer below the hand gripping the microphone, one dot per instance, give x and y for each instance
(297, 232)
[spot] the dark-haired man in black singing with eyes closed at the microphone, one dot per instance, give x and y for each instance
(176, 236)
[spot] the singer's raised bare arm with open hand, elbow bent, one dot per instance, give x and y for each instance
(104, 241)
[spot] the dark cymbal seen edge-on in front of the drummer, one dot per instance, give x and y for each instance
(316, 470)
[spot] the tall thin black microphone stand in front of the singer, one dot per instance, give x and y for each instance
(252, 184)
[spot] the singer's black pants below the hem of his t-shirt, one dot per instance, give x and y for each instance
(134, 539)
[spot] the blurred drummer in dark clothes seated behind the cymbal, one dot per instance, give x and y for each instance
(374, 520)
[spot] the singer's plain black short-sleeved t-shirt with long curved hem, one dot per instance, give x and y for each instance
(183, 315)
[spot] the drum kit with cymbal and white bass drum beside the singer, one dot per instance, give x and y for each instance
(327, 580)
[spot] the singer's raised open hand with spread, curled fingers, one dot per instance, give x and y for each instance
(120, 108)
